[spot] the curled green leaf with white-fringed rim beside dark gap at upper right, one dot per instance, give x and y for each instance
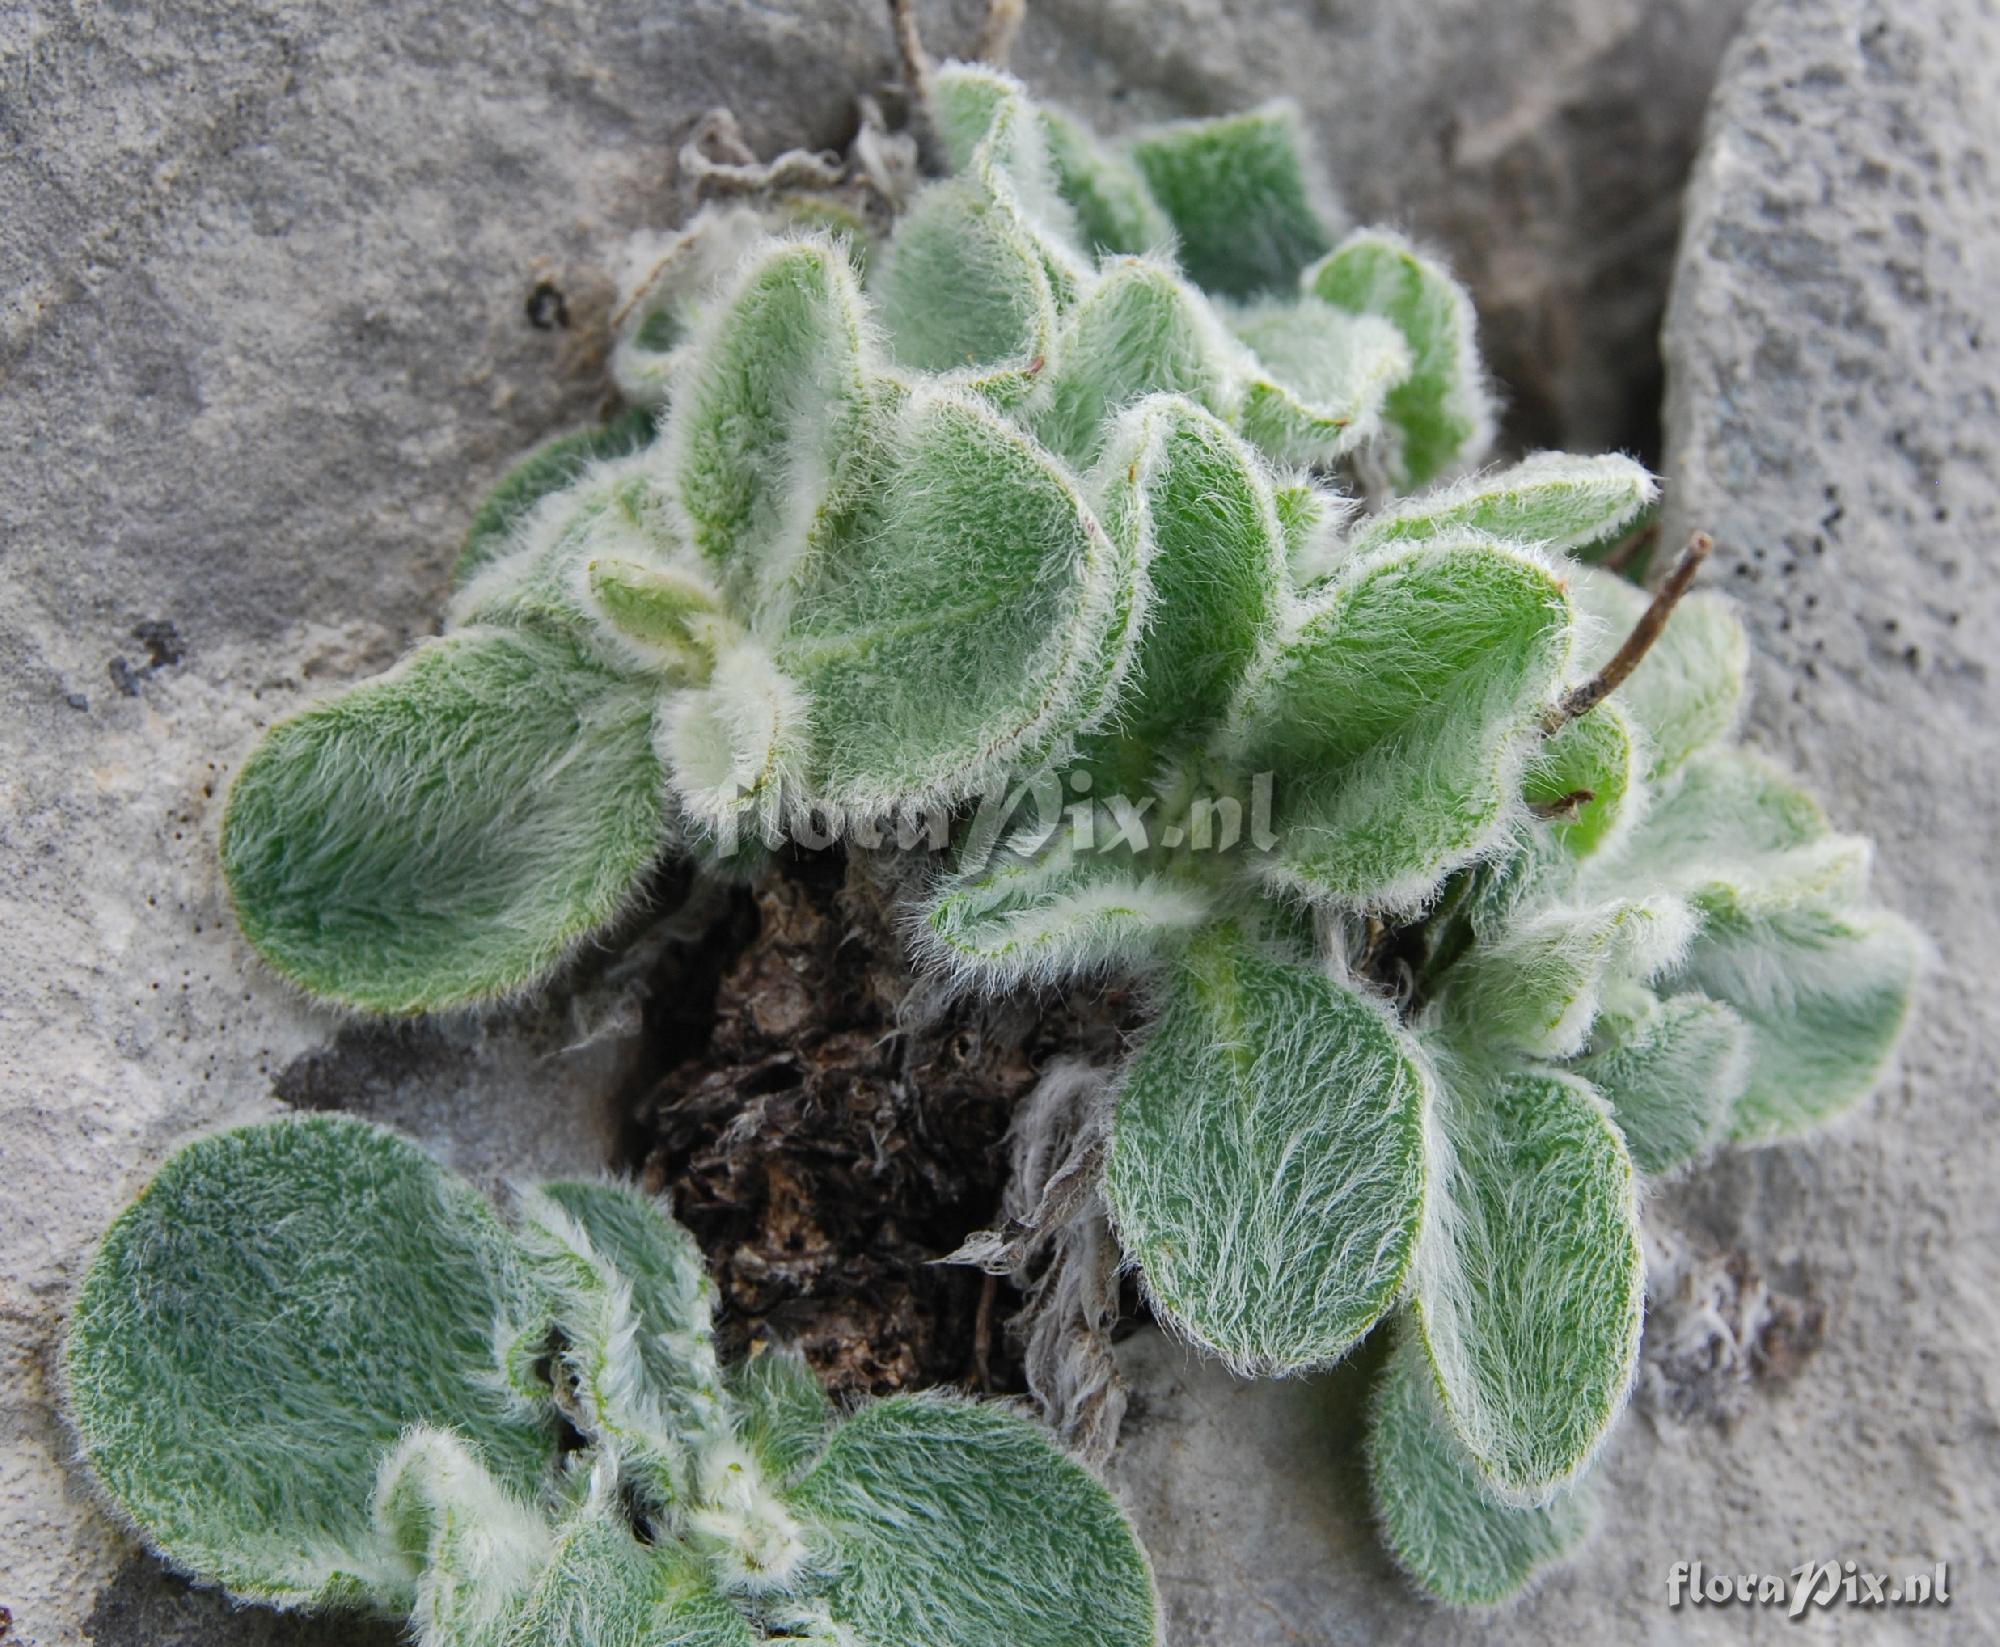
(1439, 413)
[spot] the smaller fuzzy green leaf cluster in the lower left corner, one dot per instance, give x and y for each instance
(315, 1368)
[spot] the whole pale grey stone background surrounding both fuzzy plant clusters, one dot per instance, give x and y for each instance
(265, 343)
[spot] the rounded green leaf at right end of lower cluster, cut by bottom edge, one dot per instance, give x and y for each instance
(963, 1526)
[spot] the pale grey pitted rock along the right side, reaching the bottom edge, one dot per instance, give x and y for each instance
(1821, 1356)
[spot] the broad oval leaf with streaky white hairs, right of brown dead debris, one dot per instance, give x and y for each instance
(1267, 1160)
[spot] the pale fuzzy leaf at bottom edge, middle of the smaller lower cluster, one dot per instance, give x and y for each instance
(607, 1590)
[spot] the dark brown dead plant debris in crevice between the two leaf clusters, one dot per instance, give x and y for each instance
(831, 1128)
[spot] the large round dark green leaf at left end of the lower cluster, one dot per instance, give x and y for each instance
(243, 1170)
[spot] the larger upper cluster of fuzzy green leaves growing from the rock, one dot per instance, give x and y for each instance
(1137, 493)
